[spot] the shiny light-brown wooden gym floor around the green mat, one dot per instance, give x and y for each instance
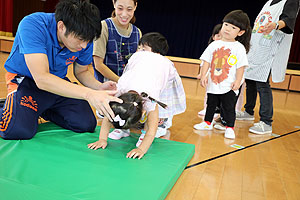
(268, 167)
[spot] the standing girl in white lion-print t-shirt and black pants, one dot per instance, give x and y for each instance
(225, 60)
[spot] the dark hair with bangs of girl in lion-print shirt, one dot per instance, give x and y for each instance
(241, 20)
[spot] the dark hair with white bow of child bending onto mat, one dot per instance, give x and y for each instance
(129, 112)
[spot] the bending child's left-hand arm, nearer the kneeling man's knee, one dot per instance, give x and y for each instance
(104, 131)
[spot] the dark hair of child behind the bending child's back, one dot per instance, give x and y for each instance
(156, 41)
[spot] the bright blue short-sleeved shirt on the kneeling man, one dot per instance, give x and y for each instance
(37, 33)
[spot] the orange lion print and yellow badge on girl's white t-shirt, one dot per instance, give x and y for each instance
(221, 63)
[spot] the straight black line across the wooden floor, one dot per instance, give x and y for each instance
(231, 152)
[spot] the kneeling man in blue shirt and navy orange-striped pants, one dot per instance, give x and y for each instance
(45, 45)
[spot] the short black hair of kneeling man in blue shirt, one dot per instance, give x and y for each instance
(80, 18)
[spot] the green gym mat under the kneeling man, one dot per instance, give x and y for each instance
(57, 165)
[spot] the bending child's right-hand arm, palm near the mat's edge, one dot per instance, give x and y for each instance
(152, 123)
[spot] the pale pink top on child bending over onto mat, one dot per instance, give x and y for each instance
(146, 72)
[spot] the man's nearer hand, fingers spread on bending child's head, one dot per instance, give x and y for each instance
(100, 101)
